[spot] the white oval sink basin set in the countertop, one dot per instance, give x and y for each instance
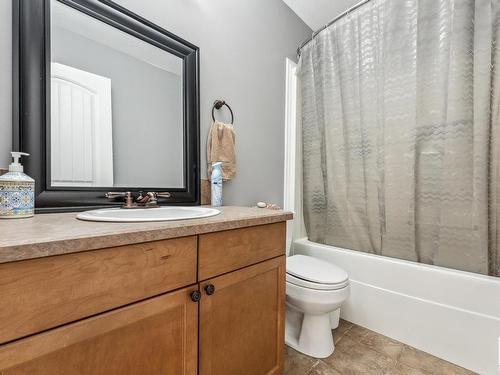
(147, 214)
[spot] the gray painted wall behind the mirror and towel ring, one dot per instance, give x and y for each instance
(243, 48)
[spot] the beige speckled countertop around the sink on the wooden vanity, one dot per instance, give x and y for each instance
(61, 233)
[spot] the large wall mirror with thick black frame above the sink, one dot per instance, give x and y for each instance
(106, 101)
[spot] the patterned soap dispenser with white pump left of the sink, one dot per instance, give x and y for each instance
(17, 191)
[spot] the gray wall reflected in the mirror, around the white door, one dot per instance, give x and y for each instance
(146, 109)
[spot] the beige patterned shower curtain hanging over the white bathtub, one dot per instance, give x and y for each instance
(400, 117)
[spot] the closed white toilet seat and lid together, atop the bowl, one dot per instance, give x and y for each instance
(313, 273)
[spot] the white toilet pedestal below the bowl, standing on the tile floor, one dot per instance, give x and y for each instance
(309, 334)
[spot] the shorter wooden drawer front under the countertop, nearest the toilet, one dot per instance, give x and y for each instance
(222, 252)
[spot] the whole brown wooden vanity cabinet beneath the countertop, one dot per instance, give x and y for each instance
(225, 316)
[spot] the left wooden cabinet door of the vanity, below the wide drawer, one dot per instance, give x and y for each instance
(156, 336)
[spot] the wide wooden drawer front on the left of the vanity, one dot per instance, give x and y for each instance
(43, 293)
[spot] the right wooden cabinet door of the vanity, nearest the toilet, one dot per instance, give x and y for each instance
(242, 321)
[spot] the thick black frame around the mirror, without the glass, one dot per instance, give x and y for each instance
(31, 105)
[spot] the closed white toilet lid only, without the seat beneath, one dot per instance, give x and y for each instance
(315, 270)
